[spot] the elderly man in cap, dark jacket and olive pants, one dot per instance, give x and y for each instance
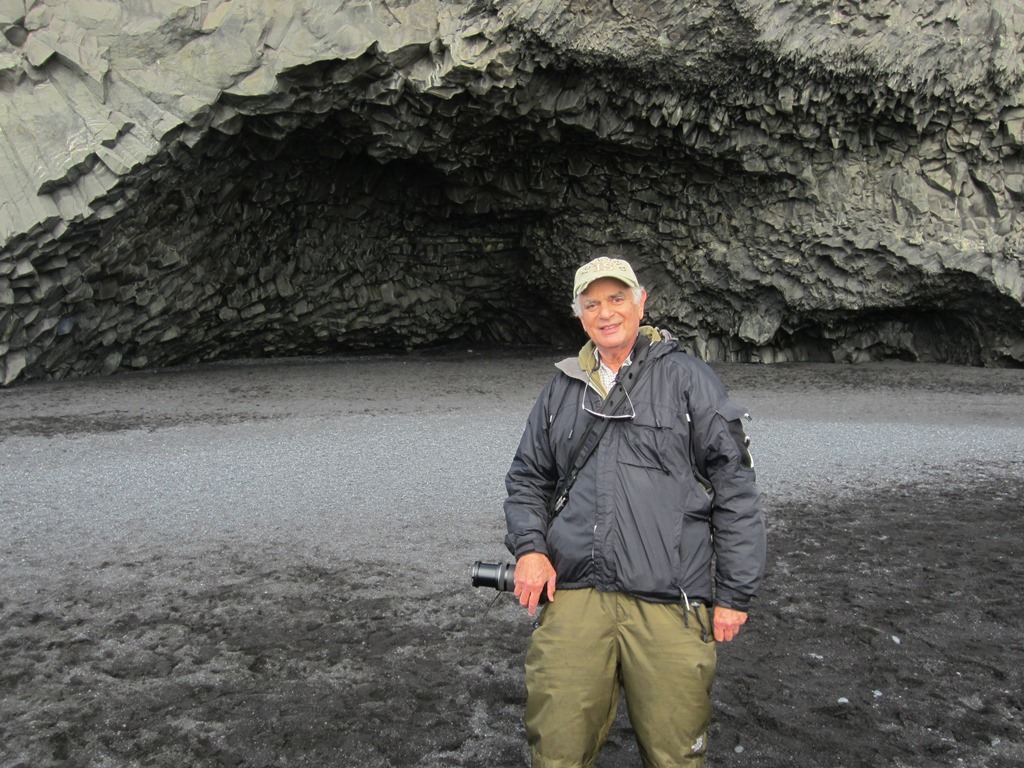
(621, 536)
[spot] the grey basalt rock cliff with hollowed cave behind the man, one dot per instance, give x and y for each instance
(188, 181)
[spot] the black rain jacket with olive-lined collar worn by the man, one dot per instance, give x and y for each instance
(663, 493)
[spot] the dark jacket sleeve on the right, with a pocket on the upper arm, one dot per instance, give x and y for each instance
(738, 518)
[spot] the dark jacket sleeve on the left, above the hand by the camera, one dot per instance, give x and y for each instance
(531, 484)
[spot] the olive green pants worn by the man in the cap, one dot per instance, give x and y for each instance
(589, 646)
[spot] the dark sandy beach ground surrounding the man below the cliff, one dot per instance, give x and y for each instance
(268, 565)
